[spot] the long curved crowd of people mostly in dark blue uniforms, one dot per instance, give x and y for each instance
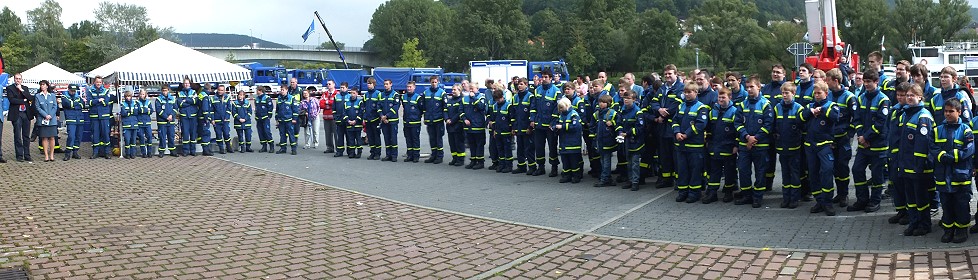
(692, 133)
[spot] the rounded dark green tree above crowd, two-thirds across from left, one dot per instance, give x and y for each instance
(654, 54)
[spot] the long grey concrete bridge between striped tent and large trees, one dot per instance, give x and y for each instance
(354, 56)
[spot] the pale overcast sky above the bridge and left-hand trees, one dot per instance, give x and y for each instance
(277, 21)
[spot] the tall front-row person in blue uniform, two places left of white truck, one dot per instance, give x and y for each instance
(434, 120)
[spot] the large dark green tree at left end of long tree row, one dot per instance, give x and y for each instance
(433, 23)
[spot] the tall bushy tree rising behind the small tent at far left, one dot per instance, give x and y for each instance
(47, 34)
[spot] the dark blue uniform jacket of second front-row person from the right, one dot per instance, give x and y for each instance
(915, 141)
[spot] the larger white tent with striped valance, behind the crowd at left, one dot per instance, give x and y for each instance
(164, 62)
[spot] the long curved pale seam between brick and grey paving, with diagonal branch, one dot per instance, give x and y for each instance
(590, 232)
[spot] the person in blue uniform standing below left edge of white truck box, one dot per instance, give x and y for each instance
(473, 115)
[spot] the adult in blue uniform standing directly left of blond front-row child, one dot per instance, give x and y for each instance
(543, 112)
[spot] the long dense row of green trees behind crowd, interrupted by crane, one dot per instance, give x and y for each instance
(642, 36)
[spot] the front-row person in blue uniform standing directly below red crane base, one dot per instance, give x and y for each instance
(820, 117)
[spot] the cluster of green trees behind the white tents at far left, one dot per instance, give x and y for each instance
(115, 30)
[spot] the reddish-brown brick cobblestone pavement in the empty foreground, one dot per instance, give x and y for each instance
(200, 217)
